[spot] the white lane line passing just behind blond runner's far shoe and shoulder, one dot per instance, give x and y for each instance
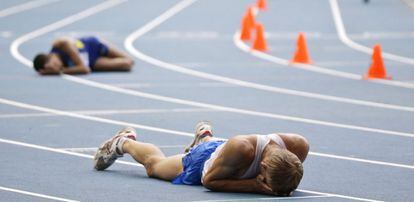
(174, 132)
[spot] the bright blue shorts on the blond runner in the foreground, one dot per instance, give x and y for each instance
(193, 163)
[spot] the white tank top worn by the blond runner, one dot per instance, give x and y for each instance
(254, 169)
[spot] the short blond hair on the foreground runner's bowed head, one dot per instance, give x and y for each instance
(285, 171)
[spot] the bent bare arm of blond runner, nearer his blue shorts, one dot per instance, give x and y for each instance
(233, 161)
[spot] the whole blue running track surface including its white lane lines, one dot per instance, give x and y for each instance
(189, 67)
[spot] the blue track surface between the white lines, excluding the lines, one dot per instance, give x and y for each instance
(68, 176)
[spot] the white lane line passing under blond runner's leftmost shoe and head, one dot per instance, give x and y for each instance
(139, 165)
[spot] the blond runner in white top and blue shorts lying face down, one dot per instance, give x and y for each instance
(267, 164)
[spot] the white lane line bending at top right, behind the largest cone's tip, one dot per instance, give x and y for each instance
(340, 28)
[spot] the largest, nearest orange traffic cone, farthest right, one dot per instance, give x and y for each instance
(377, 68)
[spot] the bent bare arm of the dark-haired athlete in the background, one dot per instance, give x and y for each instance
(66, 45)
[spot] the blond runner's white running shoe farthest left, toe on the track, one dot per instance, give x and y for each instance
(110, 150)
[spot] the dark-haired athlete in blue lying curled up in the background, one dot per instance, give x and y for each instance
(81, 56)
